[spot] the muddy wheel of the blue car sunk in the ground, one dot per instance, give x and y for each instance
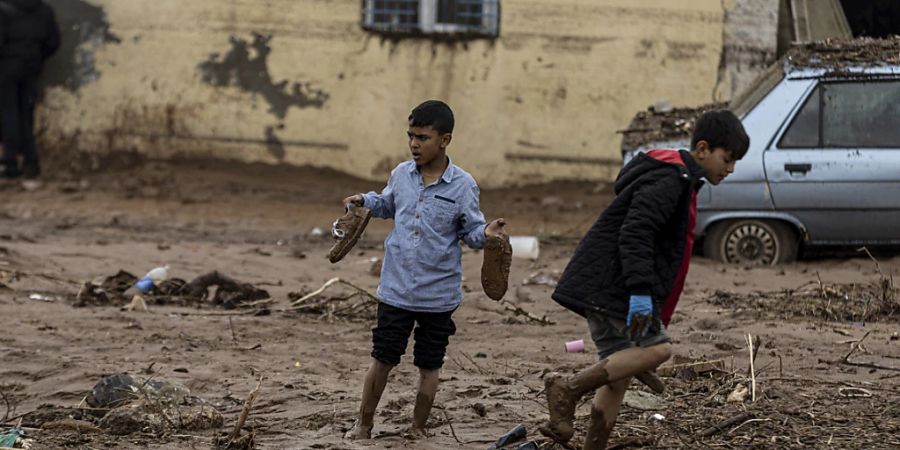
(751, 242)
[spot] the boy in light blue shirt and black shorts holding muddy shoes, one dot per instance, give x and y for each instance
(434, 205)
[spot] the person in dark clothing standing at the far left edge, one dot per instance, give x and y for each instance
(30, 35)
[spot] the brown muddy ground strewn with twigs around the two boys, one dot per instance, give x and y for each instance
(254, 223)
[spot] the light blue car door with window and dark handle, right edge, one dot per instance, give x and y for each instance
(836, 167)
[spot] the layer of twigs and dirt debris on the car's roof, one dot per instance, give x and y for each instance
(839, 53)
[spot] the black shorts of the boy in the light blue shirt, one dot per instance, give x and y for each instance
(390, 336)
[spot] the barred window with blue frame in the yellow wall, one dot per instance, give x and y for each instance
(465, 18)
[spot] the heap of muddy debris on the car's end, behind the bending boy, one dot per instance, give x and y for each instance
(663, 124)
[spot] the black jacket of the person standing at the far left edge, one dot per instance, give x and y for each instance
(30, 35)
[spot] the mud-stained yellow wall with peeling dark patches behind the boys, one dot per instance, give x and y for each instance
(561, 79)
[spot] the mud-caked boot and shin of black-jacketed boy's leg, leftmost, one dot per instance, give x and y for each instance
(563, 395)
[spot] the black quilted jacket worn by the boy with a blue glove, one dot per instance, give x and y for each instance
(637, 245)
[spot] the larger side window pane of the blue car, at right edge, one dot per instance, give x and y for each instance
(861, 114)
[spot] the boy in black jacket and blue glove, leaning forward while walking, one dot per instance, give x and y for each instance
(627, 272)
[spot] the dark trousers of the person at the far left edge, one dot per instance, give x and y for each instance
(17, 99)
